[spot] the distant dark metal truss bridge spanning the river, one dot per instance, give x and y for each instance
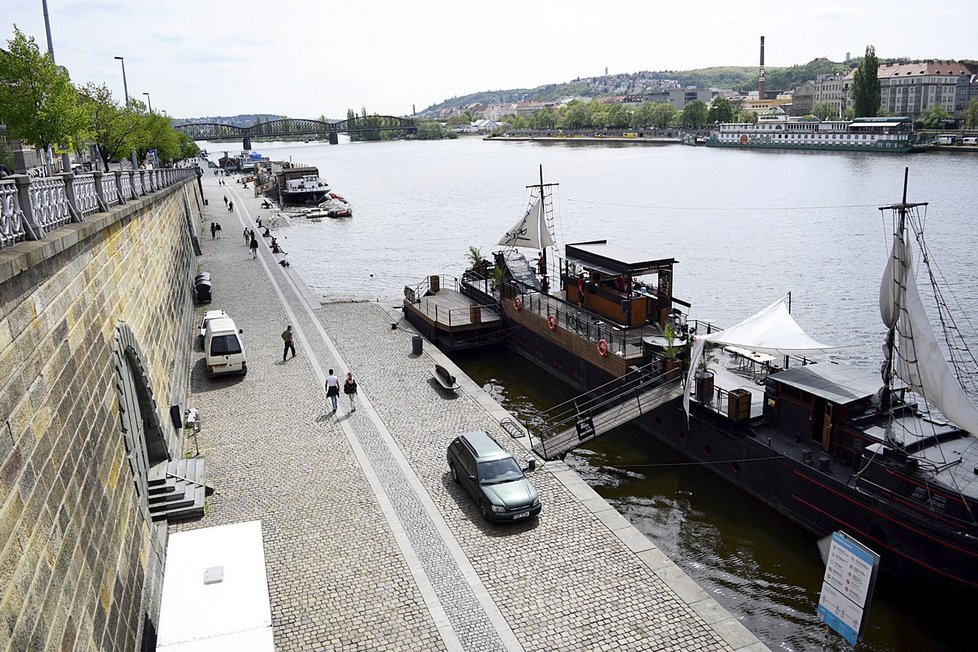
(292, 127)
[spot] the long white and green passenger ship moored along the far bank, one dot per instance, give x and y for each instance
(776, 130)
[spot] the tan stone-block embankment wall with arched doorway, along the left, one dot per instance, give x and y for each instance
(96, 327)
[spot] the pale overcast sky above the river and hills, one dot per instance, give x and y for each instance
(305, 58)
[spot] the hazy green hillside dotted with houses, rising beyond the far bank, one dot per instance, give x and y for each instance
(739, 78)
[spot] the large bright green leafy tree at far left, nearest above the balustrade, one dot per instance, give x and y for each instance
(37, 101)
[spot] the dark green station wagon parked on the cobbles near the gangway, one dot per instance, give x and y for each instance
(492, 477)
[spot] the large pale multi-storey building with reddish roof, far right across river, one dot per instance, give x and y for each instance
(911, 88)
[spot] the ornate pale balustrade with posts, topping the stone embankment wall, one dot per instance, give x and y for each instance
(31, 207)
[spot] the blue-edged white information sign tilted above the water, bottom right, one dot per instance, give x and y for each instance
(850, 575)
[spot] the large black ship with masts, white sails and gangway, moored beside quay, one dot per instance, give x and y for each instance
(889, 460)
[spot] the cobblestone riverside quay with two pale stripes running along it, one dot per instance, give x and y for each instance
(369, 545)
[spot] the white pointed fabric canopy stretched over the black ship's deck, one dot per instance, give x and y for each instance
(772, 330)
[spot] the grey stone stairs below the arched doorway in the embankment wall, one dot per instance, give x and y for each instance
(177, 490)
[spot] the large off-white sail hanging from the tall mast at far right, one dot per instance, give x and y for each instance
(919, 360)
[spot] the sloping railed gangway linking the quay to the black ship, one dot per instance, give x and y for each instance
(603, 409)
